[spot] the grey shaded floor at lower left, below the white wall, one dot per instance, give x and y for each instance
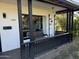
(14, 54)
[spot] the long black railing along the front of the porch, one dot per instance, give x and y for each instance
(38, 47)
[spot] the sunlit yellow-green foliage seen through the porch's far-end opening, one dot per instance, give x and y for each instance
(61, 20)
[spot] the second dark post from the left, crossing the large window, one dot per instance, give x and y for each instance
(31, 28)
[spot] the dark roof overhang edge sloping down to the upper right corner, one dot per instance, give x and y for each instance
(63, 3)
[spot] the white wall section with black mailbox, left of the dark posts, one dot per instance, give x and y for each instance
(9, 38)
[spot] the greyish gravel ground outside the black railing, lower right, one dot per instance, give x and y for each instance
(67, 51)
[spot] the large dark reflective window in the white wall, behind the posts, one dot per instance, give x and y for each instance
(37, 24)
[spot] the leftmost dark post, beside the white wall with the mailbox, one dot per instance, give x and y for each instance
(20, 27)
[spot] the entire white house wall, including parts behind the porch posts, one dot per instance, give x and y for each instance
(10, 38)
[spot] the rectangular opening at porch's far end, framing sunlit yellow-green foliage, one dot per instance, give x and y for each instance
(60, 23)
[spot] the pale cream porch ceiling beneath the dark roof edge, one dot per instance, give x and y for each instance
(35, 4)
